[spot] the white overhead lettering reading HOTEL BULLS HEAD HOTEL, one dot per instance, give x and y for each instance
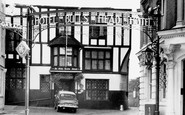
(93, 18)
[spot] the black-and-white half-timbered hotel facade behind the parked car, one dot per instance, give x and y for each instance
(84, 50)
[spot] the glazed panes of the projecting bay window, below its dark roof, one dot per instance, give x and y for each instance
(60, 59)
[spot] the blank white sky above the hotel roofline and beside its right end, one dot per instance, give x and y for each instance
(123, 4)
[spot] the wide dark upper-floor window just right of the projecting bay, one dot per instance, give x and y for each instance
(97, 60)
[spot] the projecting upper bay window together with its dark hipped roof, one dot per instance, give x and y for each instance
(65, 52)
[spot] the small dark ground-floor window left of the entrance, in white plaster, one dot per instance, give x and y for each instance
(45, 83)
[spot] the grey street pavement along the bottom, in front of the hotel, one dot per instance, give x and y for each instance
(20, 110)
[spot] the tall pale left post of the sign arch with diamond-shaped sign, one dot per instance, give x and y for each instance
(23, 50)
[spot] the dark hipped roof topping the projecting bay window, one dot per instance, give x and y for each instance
(61, 41)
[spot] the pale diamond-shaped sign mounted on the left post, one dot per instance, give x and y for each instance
(22, 49)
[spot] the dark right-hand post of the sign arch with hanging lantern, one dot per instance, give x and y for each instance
(154, 52)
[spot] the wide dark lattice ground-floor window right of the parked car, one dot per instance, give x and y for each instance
(97, 89)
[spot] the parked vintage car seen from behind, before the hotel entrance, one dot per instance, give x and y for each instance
(65, 100)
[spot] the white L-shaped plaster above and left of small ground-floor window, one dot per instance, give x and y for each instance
(35, 72)
